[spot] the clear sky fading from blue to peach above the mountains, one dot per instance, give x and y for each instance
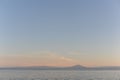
(59, 32)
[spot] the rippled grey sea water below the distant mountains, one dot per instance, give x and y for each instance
(58, 75)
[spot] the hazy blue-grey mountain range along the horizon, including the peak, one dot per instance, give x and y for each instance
(75, 67)
